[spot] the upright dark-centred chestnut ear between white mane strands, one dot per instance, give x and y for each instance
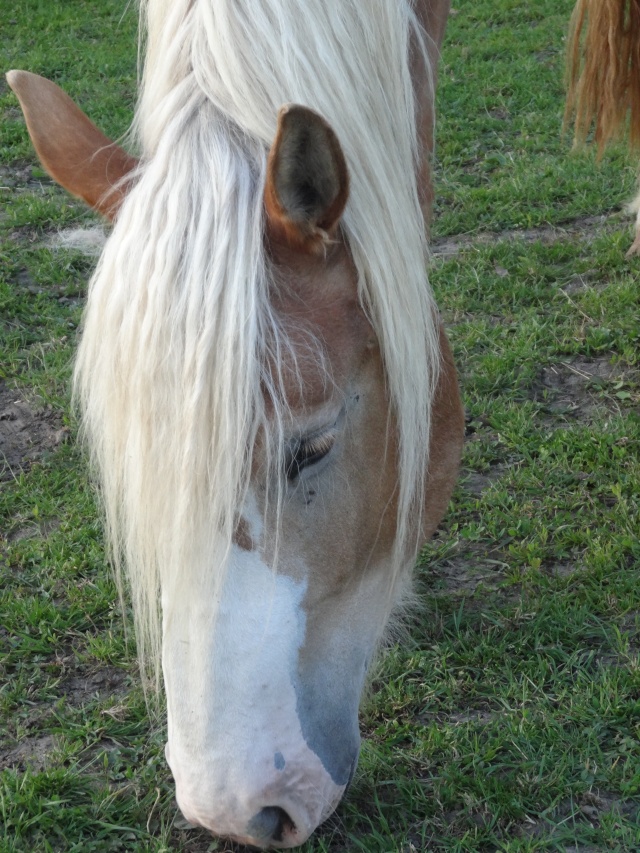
(307, 181)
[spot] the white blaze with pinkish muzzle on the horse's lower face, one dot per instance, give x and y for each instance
(235, 743)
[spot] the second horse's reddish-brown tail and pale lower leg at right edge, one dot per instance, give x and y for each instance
(603, 76)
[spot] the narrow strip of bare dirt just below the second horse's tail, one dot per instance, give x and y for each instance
(449, 247)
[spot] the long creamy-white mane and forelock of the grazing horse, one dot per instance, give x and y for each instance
(170, 364)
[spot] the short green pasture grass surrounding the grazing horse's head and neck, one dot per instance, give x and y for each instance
(511, 719)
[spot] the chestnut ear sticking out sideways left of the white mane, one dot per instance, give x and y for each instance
(70, 147)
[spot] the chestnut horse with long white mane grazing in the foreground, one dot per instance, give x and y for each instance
(266, 390)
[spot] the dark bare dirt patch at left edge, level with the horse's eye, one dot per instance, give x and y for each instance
(25, 432)
